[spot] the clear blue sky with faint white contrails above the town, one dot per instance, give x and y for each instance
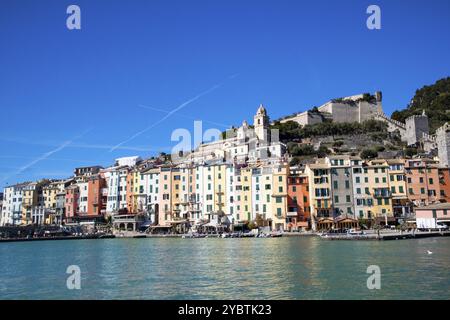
(68, 97)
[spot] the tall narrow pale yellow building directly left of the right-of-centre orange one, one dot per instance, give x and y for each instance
(279, 196)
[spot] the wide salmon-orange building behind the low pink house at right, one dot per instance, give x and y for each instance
(422, 181)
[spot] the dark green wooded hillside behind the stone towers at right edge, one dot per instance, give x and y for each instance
(434, 99)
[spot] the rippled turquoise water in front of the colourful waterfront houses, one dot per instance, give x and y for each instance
(277, 268)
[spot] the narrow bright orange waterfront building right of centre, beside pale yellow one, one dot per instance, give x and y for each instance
(298, 215)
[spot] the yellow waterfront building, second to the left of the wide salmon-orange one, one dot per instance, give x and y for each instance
(377, 171)
